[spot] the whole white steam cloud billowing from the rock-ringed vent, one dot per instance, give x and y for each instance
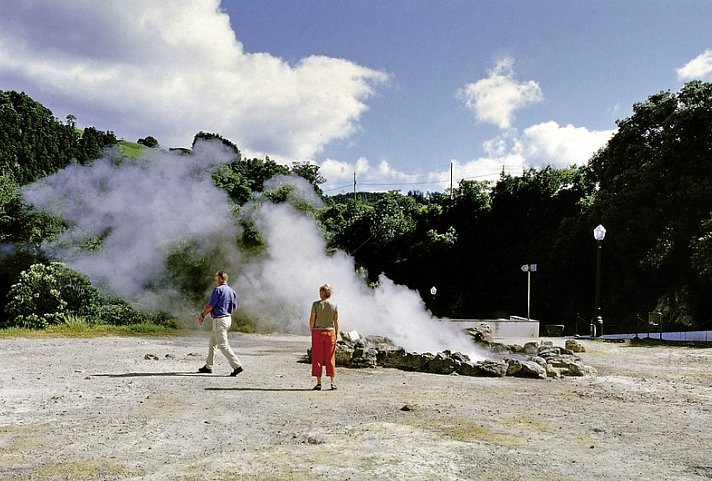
(143, 207)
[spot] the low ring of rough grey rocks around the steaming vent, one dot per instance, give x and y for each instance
(532, 360)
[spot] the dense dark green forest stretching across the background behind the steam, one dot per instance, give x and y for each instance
(650, 186)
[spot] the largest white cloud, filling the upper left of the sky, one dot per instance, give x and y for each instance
(172, 69)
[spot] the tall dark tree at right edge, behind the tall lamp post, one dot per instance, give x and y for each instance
(655, 178)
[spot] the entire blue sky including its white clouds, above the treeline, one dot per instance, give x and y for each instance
(395, 91)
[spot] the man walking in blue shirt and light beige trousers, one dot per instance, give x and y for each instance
(222, 301)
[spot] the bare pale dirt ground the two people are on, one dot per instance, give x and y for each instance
(99, 409)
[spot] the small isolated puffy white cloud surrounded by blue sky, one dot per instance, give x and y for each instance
(496, 98)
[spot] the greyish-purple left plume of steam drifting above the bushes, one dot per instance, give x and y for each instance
(140, 207)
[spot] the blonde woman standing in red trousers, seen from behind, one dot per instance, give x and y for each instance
(324, 327)
